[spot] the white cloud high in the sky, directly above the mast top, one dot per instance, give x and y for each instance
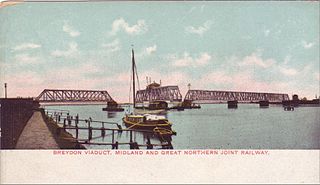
(121, 24)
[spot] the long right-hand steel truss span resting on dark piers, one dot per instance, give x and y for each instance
(223, 96)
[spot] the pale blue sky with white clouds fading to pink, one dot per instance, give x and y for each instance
(234, 46)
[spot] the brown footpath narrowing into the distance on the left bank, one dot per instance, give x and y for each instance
(36, 135)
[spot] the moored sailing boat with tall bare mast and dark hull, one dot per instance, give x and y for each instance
(144, 121)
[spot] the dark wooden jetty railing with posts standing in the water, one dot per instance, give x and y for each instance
(74, 123)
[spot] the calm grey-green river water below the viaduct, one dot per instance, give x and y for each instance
(216, 127)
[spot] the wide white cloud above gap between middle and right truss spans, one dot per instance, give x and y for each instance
(187, 60)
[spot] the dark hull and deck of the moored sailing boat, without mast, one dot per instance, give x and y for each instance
(146, 122)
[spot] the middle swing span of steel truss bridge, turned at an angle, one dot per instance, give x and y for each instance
(165, 93)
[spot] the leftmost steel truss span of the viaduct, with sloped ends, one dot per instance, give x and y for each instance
(73, 96)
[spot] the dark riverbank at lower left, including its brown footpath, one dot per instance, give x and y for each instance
(25, 126)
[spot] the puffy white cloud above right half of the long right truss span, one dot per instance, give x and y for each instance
(256, 60)
